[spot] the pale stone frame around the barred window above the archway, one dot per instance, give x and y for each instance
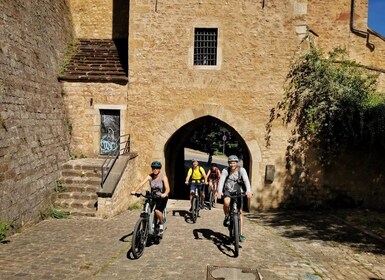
(203, 25)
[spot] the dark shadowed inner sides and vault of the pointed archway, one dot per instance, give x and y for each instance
(174, 153)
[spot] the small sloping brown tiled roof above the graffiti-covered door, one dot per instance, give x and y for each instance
(97, 60)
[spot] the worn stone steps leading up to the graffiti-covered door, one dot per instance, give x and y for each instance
(80, 183)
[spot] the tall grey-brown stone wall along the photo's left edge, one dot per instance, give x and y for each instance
(33, 131)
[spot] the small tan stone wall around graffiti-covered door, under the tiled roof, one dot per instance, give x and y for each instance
(83, 102)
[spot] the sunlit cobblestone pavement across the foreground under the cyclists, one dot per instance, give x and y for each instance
(289, 245)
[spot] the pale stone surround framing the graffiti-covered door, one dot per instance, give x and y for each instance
(97, 119)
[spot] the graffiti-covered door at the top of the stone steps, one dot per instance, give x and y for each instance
(109, 131)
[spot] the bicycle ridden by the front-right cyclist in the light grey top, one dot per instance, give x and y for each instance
(235, 226)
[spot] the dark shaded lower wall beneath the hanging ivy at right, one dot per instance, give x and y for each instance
(355, 179)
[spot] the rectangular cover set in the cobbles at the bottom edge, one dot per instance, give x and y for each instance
(231, 273)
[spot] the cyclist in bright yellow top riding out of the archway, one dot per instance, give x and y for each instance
(198, 177)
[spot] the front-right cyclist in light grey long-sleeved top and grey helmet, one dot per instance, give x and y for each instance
(232, 180)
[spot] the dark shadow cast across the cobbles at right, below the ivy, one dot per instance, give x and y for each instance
(319, 225)
